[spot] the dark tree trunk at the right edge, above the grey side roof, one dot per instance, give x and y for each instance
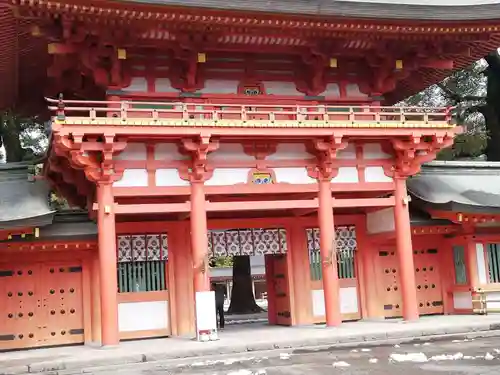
(491, 111)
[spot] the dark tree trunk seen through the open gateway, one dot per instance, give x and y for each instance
(242, 298)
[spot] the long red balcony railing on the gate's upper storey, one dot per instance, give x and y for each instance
(186, 113)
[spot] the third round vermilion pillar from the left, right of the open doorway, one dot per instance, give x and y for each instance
(328, 255)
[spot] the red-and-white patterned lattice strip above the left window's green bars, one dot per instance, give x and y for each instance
(142, 247)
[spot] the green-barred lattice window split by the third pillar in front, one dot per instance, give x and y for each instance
(346, 245)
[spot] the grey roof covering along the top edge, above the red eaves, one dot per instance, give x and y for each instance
(405, 10)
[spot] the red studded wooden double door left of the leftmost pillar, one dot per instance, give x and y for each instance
(40, 305)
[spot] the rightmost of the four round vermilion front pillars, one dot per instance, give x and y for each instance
(405, 251)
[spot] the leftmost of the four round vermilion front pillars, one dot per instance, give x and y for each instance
(108, 282)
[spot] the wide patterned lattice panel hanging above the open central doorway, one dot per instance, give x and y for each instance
(247, 242)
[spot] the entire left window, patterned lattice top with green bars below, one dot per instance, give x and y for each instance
(142, 263)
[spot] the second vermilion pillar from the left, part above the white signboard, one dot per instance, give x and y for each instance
(199, 237)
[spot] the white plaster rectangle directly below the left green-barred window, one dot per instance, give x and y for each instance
(141, 316)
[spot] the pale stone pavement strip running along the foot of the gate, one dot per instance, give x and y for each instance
(250, 337)
